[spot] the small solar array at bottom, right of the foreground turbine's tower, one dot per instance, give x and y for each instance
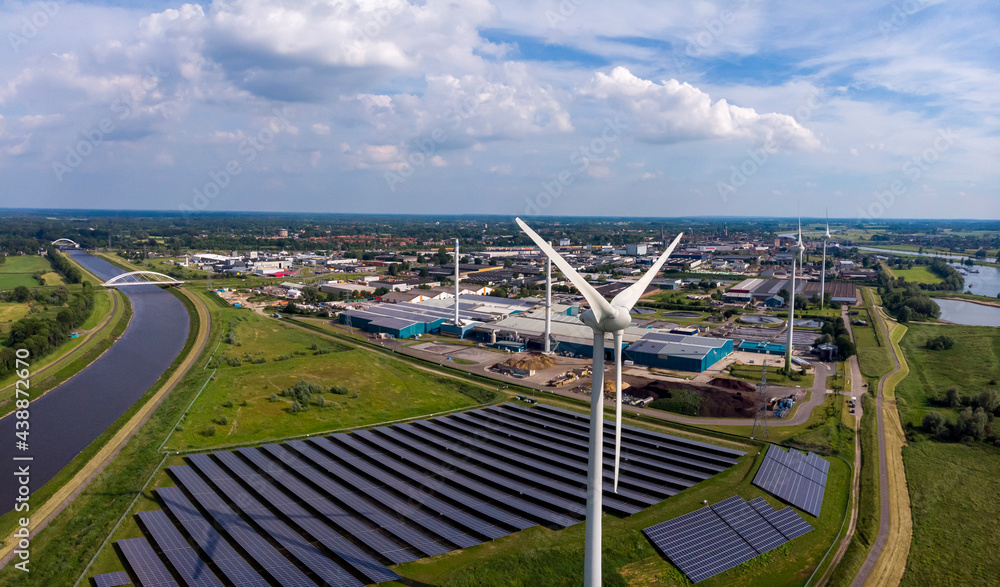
(721, 536)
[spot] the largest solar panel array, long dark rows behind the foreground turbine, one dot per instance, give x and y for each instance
(339, 510)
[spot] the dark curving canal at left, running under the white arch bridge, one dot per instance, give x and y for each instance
(67, 419)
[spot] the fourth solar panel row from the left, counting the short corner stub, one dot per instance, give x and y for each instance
(229, 562)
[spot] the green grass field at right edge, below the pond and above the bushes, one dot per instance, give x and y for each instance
(969, 367)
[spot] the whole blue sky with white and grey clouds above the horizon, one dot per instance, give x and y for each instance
(561, 107)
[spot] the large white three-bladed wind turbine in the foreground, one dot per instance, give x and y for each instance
(603, 317)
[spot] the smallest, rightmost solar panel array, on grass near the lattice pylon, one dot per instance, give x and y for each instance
(799, 479)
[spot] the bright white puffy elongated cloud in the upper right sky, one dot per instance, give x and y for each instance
(672, 112)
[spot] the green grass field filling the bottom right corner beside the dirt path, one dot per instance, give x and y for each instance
(955, 503)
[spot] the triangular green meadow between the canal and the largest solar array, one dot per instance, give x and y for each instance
(380, 388)
